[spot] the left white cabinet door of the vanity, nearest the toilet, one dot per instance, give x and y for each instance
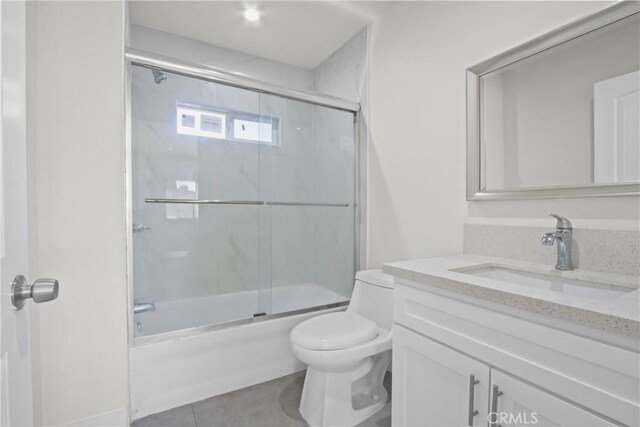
(434, 385)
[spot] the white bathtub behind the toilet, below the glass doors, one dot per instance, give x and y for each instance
(173, 361)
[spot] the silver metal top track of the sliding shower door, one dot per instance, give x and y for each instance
(216, 75)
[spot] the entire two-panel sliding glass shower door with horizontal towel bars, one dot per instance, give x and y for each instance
(243, 203)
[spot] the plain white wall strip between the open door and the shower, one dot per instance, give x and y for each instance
(76, 149)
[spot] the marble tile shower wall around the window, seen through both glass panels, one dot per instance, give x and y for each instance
(222, 249)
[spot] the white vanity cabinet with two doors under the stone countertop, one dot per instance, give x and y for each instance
(528, 373)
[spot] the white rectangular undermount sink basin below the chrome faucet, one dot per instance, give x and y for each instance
(579, 288)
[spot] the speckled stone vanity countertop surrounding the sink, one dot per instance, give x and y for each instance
(620, 314)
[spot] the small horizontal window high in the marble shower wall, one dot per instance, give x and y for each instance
(230, 125)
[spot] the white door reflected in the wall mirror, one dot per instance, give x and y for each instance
(616, 129)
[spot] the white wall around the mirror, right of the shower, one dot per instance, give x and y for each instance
(420, 51)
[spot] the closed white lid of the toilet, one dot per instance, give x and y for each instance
(334, 331)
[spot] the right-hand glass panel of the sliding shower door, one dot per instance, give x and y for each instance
(308, 181)
